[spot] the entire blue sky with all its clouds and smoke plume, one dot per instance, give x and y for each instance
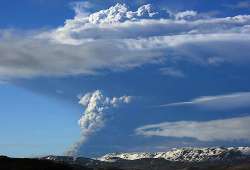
(85, 78)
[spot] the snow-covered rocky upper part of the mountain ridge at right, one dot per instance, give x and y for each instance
(185, 154)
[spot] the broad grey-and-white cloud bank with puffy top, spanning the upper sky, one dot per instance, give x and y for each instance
(119, 39)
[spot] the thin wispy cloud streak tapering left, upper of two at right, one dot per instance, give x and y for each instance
(226, 101)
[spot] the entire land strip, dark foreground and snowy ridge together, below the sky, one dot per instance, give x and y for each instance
(217, 158)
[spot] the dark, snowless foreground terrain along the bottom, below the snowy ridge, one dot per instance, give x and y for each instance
(141, 164)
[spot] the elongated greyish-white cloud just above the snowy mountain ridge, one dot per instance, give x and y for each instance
(214, 130)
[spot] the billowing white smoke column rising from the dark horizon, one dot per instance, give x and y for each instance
(96, 114)
